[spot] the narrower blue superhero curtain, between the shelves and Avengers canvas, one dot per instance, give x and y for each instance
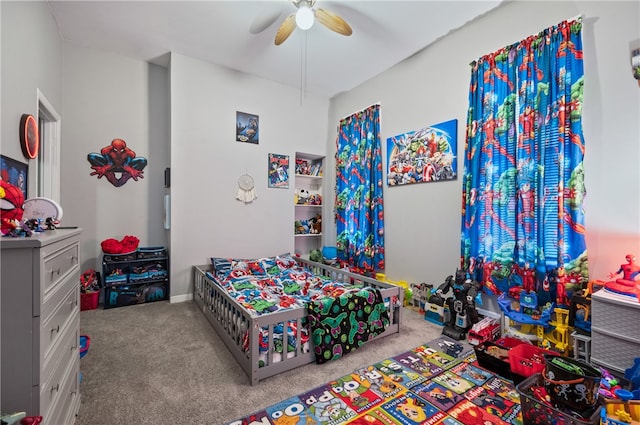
(359, 206)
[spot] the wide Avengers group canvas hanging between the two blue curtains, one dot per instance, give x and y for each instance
(425, 155)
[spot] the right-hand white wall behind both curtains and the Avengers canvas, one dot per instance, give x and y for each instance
(422, 221)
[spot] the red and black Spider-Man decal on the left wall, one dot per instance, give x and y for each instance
(117, 163)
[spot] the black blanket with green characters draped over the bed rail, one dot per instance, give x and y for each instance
(342, 324)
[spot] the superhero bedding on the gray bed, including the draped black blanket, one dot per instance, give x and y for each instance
(271, 288)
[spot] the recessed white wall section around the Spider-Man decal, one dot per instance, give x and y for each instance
(108, 96)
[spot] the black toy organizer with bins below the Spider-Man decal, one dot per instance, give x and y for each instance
(138, 277)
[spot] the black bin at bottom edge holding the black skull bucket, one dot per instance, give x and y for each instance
(536, 412)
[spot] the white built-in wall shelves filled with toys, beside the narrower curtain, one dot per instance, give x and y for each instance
(309, 171)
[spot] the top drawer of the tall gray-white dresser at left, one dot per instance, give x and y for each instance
(59, 260)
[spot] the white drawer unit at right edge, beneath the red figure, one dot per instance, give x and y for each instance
(615, 334)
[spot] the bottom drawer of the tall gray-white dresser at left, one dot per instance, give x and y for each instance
(65, 405)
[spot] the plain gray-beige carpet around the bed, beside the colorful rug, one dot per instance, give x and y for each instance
(162, 363)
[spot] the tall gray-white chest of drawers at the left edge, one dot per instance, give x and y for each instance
(40, 301)
